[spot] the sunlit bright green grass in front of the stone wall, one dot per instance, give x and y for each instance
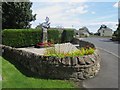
(13, 78)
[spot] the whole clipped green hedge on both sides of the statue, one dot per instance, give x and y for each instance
(30, 37)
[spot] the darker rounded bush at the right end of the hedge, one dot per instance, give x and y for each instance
(67, 35)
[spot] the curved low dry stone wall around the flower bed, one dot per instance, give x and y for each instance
(77, 68)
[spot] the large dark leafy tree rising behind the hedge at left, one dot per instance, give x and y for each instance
(17, 15)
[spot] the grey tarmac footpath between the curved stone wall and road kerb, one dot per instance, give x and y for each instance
(108, 75)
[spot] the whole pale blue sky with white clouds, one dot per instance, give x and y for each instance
(76, 14)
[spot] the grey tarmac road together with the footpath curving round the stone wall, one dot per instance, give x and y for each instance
(108, 75)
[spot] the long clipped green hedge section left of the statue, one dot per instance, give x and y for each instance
(21, 37)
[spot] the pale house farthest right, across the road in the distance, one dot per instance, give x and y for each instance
(105, 31)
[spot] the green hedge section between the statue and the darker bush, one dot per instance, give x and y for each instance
(54, 35)
